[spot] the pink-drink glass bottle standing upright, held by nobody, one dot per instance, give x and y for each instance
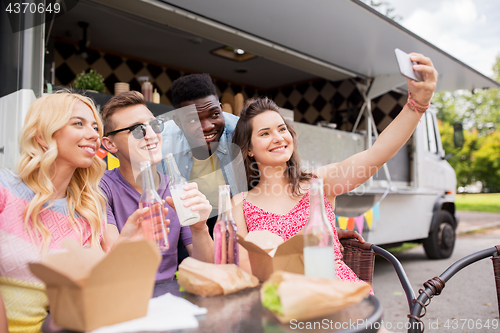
(225, 244)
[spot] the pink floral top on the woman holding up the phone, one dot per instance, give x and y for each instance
(290, 224)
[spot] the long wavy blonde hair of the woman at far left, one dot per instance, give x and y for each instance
(45, 117)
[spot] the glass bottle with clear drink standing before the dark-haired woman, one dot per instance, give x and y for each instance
(319, 256)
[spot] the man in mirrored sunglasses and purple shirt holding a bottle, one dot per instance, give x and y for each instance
(133, 135)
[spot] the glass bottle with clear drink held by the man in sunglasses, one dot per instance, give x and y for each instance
(176, 184)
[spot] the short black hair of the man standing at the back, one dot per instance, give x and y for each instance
(192, 87)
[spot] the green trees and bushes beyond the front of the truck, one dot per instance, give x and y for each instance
(479, 112)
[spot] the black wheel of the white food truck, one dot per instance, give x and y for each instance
(441, 240)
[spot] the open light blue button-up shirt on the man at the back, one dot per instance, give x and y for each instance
(176, 143)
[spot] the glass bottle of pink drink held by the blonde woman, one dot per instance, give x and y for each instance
(153, 228)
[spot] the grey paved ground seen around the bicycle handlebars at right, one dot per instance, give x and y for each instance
(469, 300)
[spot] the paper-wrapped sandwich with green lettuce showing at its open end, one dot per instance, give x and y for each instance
(304, 298)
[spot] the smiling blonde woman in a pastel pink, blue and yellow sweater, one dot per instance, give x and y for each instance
(52, 195)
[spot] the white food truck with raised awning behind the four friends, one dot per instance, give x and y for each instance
(331, 62)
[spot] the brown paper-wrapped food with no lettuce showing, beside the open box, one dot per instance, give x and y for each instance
(206, 279)
